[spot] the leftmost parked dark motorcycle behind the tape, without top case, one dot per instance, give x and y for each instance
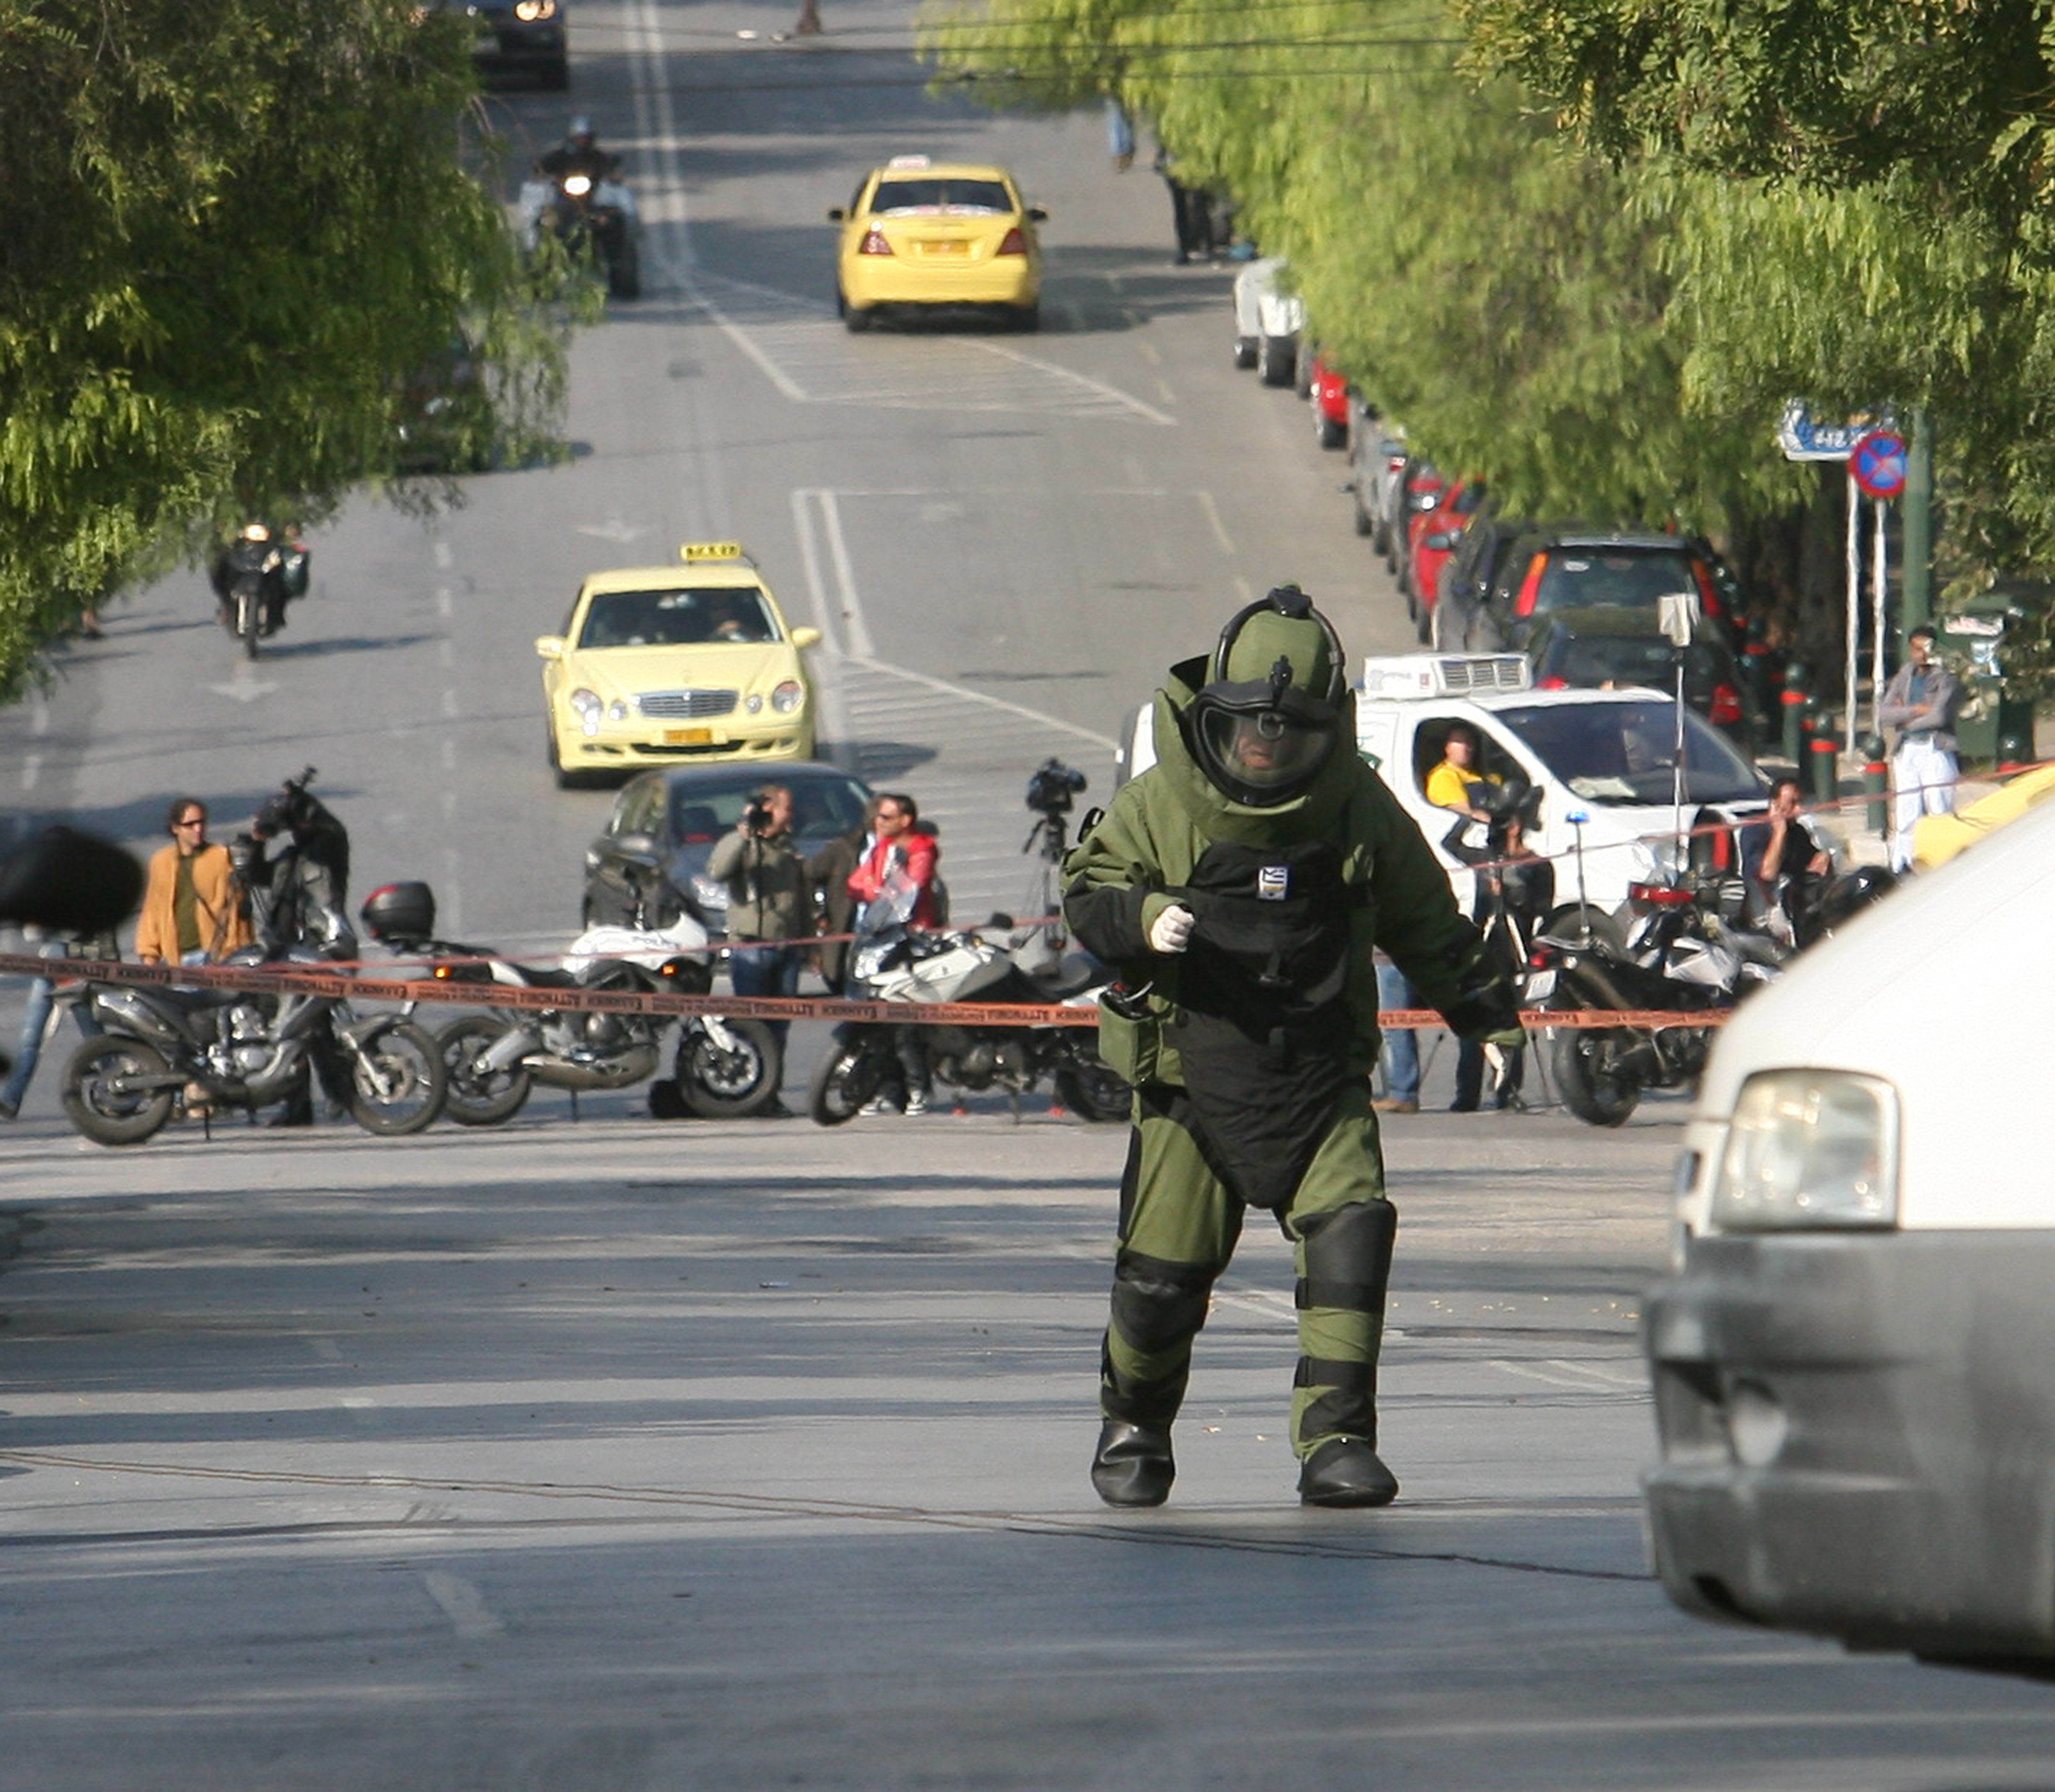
(170, 1051)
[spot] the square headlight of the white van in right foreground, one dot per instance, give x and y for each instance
(1809, 1150)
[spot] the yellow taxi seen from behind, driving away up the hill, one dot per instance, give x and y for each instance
(938, 235)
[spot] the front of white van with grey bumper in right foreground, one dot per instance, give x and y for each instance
(1855, 1361)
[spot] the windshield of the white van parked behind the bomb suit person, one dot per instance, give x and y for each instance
(1622, 753)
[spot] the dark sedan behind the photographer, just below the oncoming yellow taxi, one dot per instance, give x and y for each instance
(652, 860)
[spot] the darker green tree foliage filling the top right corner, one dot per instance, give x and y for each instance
(1865, 219)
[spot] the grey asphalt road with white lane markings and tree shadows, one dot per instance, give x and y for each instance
(609, 1454)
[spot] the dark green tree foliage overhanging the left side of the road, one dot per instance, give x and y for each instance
(229, 231)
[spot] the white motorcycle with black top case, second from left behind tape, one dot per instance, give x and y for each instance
(724, 1070)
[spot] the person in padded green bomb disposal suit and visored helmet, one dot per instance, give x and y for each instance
(1240, 887)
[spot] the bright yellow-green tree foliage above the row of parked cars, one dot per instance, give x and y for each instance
(1479, 278)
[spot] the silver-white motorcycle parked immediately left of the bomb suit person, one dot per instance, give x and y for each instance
(895, 963)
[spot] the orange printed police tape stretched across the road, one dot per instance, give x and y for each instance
(402, 990)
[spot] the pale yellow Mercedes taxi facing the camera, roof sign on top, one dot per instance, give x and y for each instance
(675, 665)
